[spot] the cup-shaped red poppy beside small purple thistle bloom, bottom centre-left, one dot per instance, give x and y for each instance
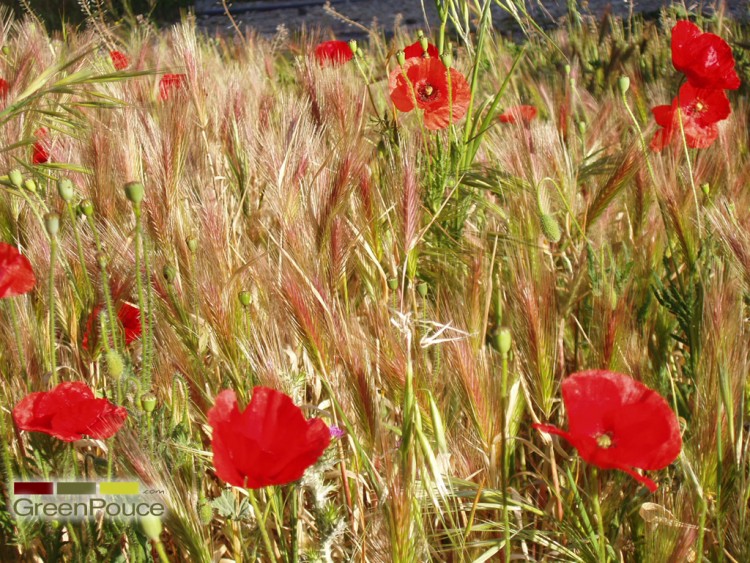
(269, 443)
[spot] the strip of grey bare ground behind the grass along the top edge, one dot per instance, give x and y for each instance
(267, 15)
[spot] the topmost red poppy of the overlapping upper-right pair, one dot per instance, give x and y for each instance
(704, 58)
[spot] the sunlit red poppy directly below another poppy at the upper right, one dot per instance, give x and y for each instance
(700, 110)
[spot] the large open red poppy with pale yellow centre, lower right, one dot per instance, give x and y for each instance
(615, 422)
